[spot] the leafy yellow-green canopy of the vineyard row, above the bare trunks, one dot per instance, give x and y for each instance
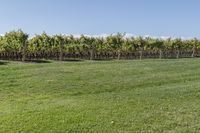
(18, 42)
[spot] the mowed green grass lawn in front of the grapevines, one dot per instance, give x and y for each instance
(100, 96)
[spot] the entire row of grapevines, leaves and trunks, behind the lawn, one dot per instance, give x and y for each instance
(17, 45)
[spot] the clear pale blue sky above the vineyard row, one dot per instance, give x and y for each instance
(176, 18)
